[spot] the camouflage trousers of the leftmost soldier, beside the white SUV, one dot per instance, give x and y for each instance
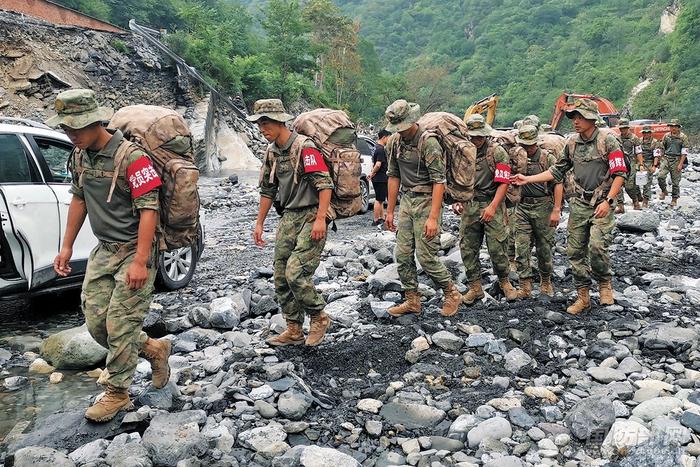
(113, 312)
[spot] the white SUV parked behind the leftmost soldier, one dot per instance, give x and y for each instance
(34, 200)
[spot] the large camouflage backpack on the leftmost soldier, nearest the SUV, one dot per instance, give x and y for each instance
(165, 136)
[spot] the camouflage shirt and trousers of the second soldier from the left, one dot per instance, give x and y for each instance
(296, 255)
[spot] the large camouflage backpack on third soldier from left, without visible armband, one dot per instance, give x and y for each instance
(460, 153)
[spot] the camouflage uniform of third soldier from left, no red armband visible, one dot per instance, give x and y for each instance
(418, 170)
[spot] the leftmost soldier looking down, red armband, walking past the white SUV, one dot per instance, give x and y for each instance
(118, 285)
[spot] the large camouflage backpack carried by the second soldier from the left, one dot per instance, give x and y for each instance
(334, 134)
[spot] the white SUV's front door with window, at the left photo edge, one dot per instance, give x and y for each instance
(30, 218)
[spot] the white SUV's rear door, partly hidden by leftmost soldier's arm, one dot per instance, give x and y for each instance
(56, 153)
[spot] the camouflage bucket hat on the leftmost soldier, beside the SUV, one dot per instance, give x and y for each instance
(77, 108)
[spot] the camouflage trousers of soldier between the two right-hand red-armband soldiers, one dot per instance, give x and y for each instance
(532, 222)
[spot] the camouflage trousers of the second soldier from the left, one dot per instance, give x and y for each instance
(296, 258)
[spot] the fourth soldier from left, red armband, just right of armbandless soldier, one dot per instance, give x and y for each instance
(485, 215)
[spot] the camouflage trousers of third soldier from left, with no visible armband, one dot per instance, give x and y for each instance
(411, 243)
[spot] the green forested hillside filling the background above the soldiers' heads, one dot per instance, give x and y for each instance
(443, 53)
